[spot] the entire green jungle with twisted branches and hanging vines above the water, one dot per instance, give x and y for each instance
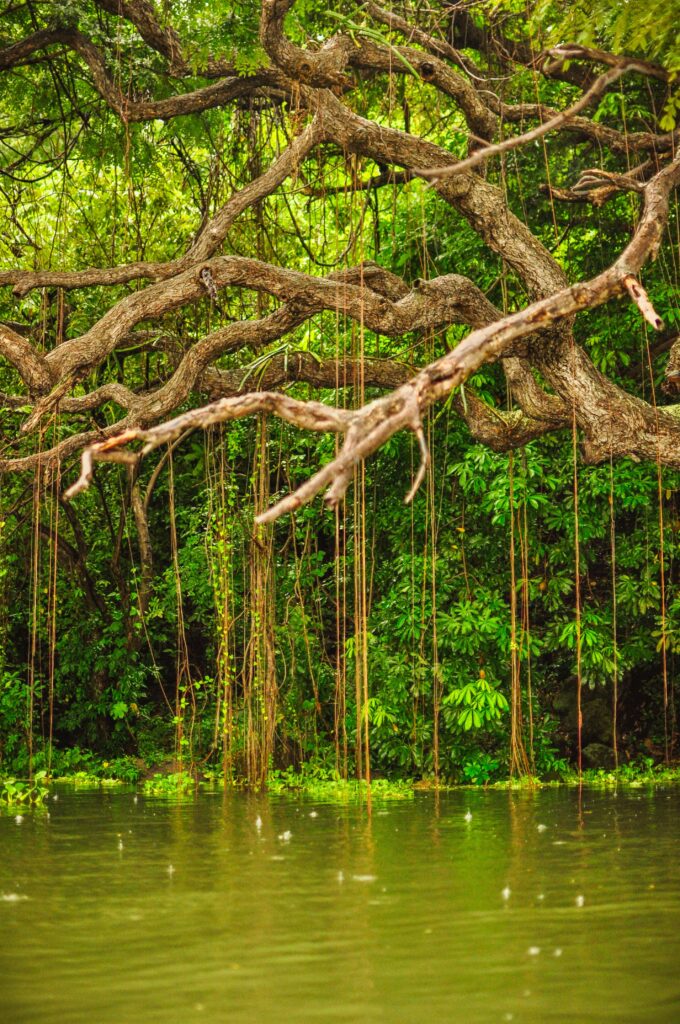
(252, 254)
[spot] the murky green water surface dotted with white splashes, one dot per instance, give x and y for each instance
(535, 910)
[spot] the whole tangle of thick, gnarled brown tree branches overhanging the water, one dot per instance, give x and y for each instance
(319, 82)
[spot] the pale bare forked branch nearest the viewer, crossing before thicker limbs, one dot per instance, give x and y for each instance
(369, 429)
